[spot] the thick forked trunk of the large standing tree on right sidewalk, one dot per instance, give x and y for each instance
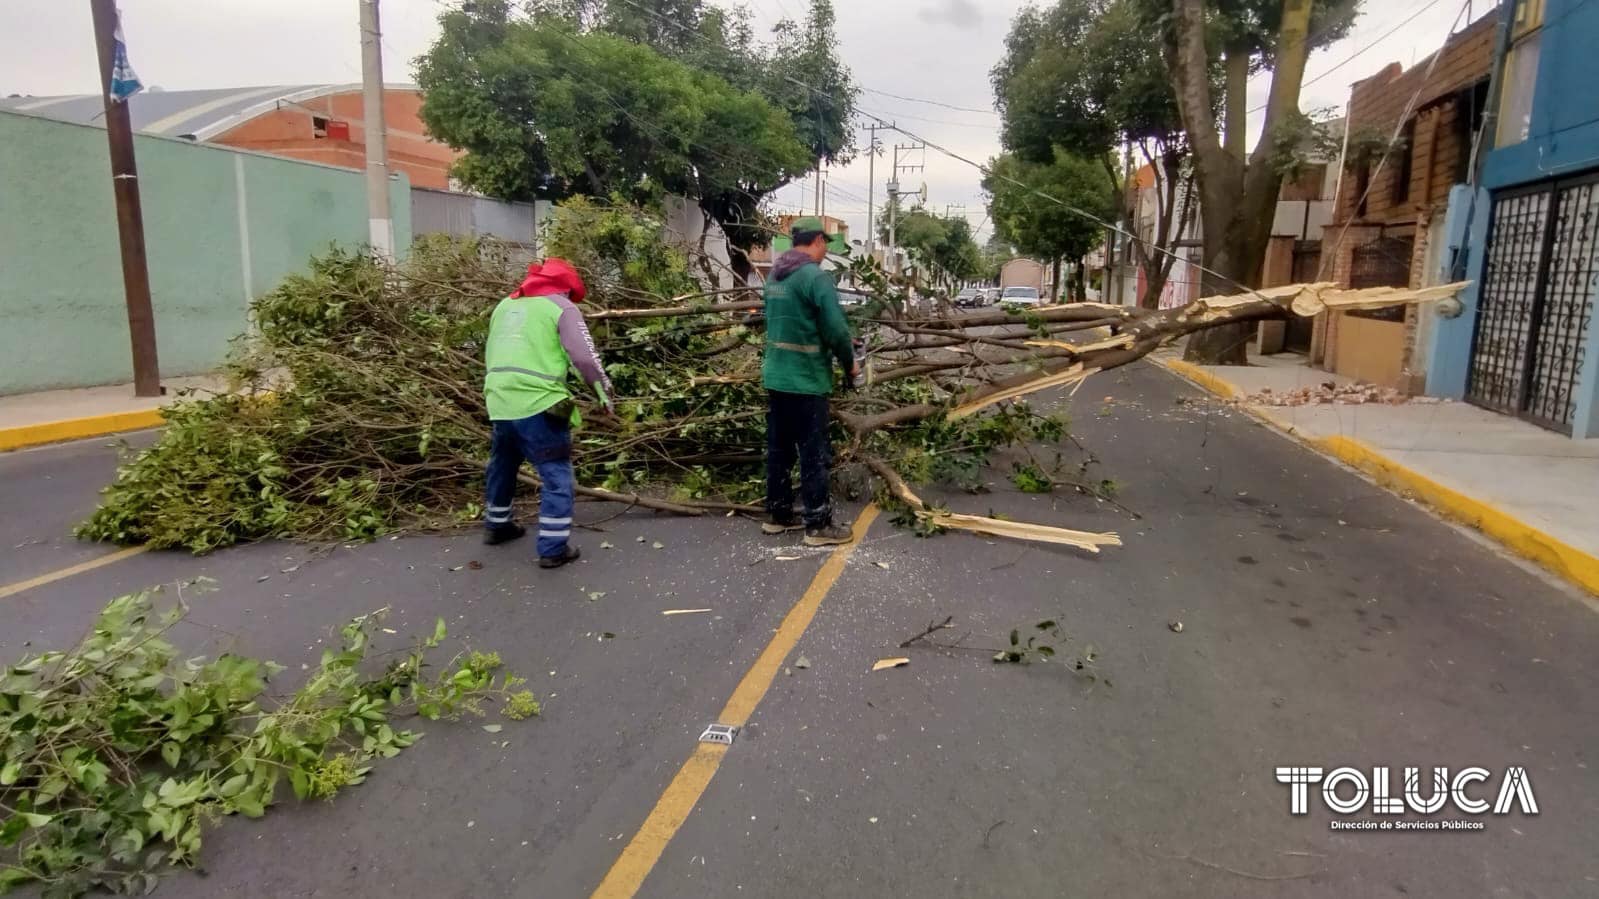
(1237, 198)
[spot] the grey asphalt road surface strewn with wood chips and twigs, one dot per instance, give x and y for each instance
(1325, 623)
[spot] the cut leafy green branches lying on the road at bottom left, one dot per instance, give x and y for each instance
(118, 754)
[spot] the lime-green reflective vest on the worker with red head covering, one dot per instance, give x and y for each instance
(525, 359)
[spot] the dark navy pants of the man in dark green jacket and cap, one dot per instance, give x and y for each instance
(797, 430)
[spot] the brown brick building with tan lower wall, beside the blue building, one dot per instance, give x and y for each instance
(1390, 209)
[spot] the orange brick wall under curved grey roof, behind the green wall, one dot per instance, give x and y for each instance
(287, 132)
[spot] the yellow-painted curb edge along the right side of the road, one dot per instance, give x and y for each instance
(1502, 527)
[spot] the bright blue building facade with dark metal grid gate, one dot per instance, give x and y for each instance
(1528, 231)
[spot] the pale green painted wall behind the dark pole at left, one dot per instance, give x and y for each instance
(213, 218)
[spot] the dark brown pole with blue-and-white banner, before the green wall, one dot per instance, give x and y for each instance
(130, 217)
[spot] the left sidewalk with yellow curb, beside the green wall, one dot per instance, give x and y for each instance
(52, 417)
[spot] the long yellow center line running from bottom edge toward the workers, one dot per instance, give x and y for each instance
(684, 793)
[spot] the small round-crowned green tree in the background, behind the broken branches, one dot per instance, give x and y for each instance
(1042, 228)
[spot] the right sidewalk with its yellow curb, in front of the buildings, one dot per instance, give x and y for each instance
(1529, 489)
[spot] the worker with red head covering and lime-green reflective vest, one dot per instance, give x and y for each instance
(536, 337)
